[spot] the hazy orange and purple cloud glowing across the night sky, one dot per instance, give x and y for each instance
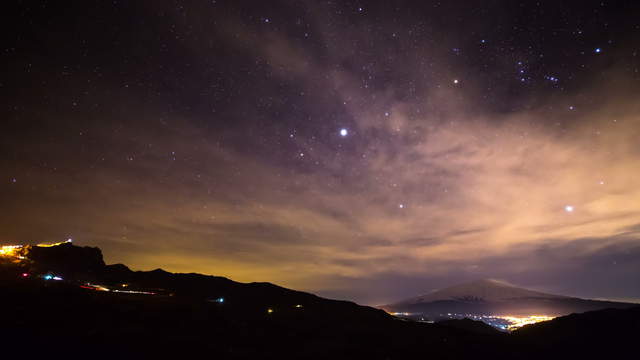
(431, 183)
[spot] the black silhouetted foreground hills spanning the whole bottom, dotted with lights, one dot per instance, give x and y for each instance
(188, 316)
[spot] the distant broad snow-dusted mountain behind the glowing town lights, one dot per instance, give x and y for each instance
(493, 297)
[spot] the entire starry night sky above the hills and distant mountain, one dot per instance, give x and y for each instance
(359, 150)
